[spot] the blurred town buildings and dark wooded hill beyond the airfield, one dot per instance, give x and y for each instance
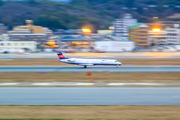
(29, 26)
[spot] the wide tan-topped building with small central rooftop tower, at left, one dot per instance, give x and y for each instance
(29, 32)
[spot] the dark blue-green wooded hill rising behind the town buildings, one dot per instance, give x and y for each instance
(78, 13)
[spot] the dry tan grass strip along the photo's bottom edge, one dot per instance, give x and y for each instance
(90, 112)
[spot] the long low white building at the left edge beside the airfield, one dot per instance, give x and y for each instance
(13, 46)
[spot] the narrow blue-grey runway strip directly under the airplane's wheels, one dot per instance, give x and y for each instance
(58, 69)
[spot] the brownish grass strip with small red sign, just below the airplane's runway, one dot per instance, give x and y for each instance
(95, 77)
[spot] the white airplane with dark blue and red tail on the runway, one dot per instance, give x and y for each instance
(87, 62)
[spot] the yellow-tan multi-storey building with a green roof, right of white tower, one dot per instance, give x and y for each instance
(139, 34)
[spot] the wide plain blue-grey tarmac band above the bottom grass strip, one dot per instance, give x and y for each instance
(89, 96)
